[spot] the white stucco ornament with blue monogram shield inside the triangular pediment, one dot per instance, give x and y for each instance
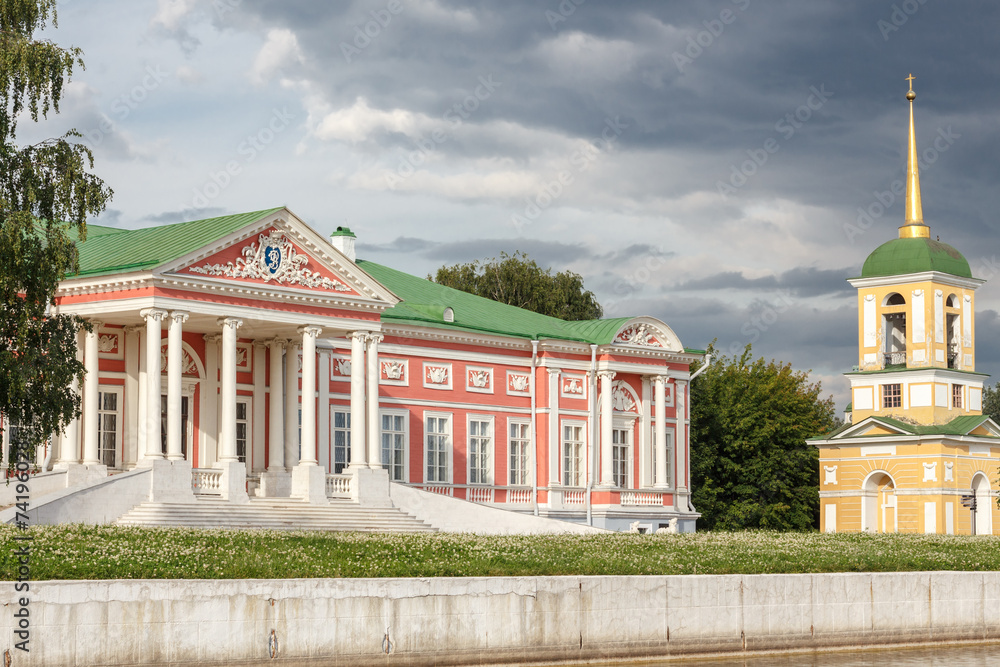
(274, 260)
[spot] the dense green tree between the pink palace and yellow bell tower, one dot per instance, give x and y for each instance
(750, 464)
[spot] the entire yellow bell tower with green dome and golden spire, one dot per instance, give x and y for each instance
(917, 448)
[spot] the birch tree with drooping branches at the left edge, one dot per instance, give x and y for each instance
(46, 194)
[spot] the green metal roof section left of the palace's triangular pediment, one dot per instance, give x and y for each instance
(110, 250)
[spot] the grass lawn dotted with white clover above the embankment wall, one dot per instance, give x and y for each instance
(114, 552)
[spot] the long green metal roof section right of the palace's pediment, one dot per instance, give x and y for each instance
(424, 303)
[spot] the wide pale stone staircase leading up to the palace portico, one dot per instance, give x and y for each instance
(274, 514)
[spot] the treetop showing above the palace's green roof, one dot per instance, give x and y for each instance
(519, 281)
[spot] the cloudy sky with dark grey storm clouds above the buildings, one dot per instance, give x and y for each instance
(707, 163)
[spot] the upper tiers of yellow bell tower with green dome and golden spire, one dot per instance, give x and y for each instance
(916, 323)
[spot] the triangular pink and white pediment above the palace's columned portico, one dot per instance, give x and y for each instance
(279, 252)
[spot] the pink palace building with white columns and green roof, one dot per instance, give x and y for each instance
(247, 356)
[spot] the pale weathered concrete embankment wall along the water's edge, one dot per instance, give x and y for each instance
(490, 620)
